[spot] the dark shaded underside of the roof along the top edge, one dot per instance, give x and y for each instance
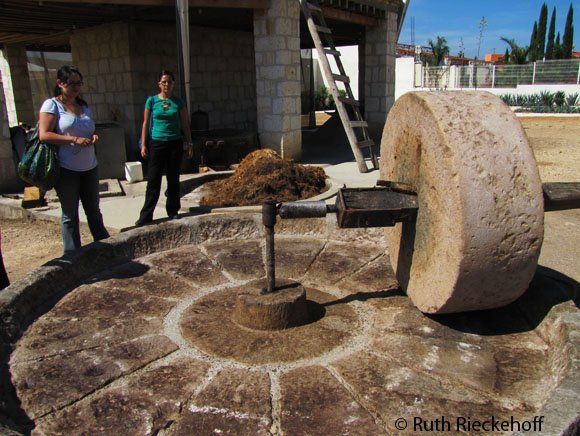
(47, 25)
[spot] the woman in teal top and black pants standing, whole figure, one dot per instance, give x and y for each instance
(163, 143)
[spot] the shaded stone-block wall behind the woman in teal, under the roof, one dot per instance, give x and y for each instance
(120, 63)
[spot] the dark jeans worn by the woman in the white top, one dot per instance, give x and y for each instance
(71, 187)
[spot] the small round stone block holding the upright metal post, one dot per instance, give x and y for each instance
(285, 307)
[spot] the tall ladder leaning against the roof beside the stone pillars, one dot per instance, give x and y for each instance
(348, 107)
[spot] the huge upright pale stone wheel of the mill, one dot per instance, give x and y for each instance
(479, 229)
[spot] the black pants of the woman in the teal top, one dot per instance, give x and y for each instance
(163, 156)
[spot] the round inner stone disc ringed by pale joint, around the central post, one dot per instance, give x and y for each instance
(322, 323)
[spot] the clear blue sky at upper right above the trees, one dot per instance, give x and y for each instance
(456, 19)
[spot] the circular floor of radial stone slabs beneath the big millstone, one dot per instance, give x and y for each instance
(150, 346)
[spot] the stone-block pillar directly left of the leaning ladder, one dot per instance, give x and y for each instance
(277, 57)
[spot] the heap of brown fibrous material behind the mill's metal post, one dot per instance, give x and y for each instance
(264, 174)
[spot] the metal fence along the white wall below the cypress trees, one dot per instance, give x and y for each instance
(502, 76)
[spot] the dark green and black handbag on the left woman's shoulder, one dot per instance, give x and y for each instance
(39, 165)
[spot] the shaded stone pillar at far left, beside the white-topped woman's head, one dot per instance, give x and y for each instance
(14, 67)
